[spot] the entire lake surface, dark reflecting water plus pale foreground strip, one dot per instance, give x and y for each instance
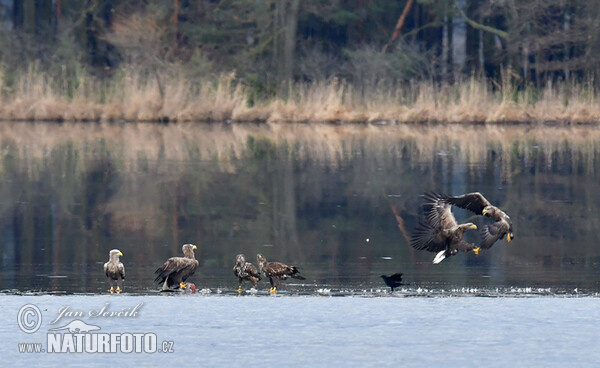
(322, 197)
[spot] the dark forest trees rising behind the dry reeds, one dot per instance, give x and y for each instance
(271, 43)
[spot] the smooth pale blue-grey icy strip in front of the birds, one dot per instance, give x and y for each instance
(322, 331)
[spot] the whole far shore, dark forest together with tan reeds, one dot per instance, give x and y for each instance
(501, 61)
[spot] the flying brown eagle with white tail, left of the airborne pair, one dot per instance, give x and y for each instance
(441, 232)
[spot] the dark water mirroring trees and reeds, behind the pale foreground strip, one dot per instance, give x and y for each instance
(319, 196)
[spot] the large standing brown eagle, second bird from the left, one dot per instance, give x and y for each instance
(177, 269)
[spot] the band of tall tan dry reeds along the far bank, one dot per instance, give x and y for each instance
(129, 96)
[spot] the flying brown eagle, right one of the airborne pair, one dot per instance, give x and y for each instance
(478, 204)
